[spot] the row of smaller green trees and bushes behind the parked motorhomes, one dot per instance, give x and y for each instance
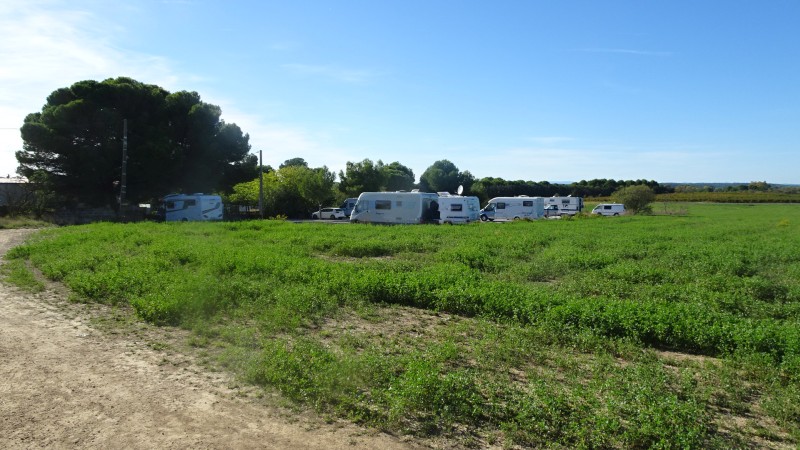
(295, 190)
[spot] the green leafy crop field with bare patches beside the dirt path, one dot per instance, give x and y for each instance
(658, 331)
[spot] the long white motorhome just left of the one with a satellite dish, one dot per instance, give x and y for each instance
(396, 208)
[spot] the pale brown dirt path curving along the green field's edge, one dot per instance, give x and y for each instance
(65, 383)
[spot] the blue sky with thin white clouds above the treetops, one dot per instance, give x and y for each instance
(673, 91)
